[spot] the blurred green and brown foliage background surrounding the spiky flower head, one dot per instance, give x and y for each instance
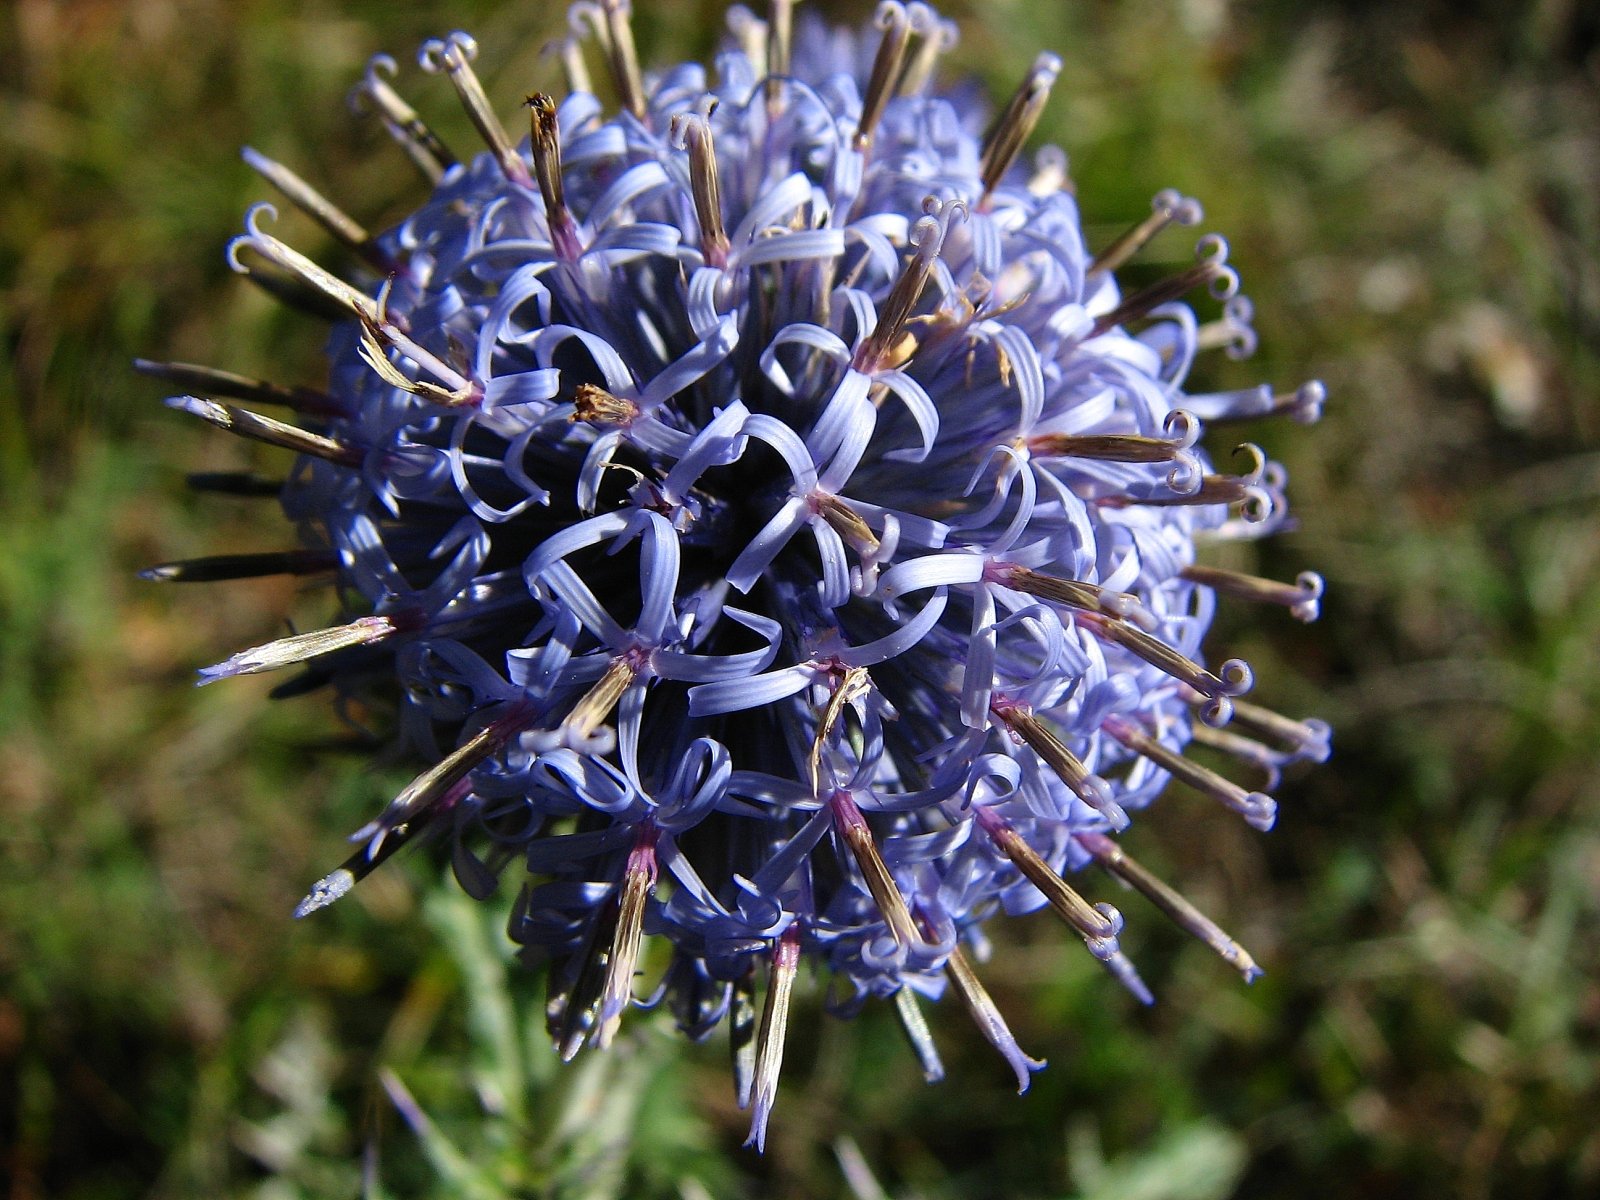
(1412, 198)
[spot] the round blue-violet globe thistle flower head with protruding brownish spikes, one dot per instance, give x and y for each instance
(770, 524)
